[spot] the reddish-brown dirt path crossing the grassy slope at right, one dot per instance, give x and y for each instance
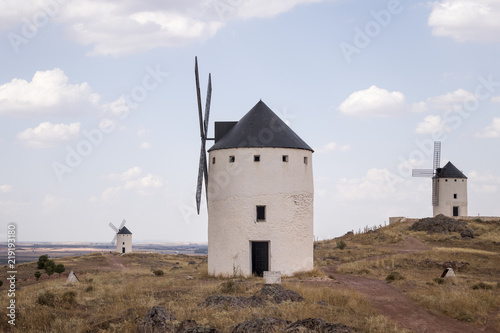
(392, 303)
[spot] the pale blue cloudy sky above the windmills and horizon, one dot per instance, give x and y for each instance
(99, 123)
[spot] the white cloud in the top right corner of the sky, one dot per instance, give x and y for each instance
(466, 20)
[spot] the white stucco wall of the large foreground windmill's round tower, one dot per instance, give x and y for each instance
(234, 191)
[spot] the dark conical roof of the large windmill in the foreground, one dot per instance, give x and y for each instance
(260, 128)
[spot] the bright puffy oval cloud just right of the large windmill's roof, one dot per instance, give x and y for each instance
(374, 101)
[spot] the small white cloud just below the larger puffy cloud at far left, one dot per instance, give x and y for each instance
(47, 134)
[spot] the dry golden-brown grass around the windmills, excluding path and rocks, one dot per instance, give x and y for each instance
(109, 299)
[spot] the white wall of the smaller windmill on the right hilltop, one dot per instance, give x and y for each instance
(447, 188)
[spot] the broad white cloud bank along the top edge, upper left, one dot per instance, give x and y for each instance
(127, 27)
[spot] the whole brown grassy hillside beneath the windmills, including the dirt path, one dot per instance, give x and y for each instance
(386, 280)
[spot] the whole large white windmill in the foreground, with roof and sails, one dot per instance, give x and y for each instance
(260, 195)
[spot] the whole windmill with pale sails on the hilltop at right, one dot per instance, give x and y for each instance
(449, 186)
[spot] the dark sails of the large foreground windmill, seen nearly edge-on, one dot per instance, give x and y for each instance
(202, 169)
